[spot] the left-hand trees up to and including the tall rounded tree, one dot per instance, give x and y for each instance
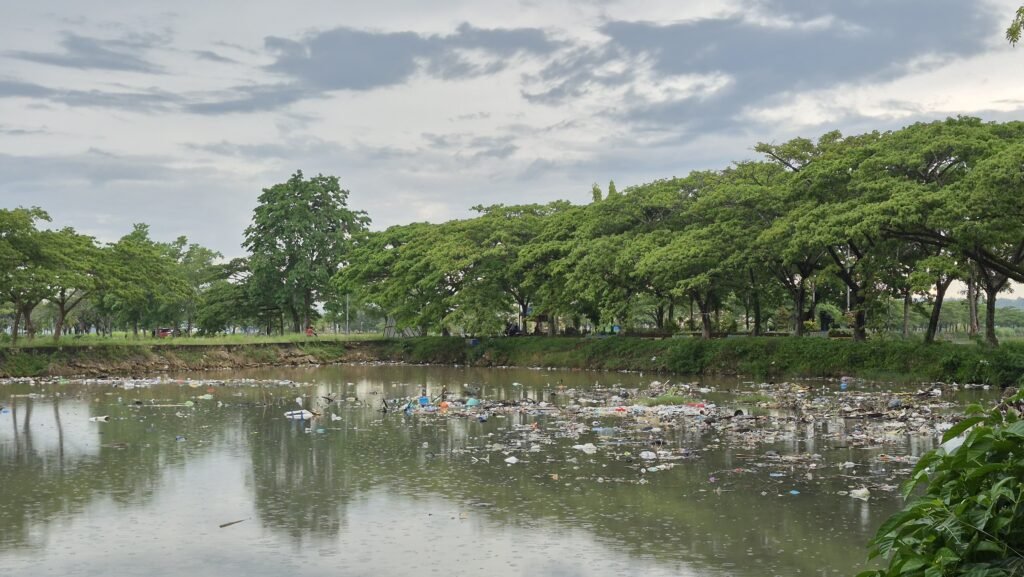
(300, 233)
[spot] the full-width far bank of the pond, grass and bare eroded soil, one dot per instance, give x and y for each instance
(756, 358)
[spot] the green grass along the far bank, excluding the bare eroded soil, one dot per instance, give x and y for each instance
(898, 360)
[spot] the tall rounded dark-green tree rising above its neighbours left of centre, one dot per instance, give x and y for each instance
(302, 234)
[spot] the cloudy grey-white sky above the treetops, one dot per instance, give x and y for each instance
(178, 114)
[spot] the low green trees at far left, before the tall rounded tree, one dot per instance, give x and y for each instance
(136, 282)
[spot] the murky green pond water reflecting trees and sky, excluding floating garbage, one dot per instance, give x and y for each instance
(365, 493)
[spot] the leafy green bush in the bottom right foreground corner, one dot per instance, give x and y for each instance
(970, 520)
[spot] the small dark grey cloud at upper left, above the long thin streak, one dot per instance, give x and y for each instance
(95, 54)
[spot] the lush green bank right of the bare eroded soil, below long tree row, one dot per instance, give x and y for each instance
(757, 358)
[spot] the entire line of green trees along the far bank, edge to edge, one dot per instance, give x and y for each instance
(836, 229)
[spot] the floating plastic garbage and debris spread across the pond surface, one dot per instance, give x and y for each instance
(632, 436)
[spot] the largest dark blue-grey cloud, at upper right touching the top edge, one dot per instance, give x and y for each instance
(849, 43)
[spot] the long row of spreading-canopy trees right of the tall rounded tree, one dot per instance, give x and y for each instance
(841, 223)
